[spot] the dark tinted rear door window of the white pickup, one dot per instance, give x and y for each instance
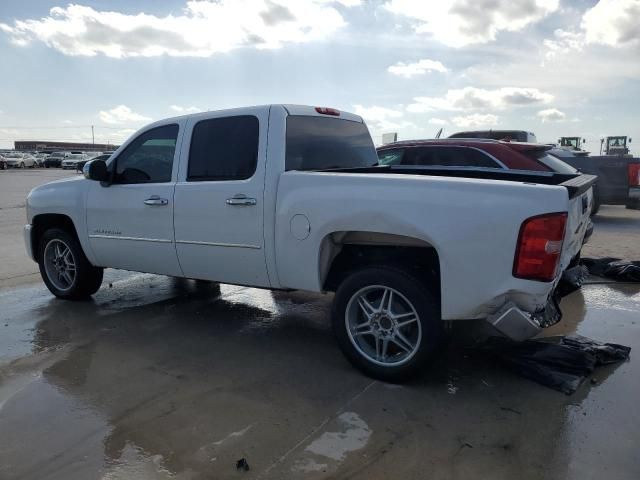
(224, 149)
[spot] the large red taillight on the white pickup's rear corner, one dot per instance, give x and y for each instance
(539, 247)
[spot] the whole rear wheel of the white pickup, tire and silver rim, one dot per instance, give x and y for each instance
(386, 322)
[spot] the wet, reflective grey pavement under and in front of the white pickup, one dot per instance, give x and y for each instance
(160, 378)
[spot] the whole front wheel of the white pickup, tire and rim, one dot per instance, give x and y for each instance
(64, 267)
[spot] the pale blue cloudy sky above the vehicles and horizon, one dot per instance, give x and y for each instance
(552, 67)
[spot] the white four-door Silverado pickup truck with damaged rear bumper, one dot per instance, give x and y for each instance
(291, 197)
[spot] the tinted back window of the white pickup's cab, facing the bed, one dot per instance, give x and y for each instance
(318, 143)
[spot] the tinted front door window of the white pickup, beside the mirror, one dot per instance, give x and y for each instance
(149, 158)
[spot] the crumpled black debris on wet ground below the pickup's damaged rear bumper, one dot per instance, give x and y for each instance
(561, 362)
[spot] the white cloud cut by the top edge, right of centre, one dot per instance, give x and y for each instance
(462, 22)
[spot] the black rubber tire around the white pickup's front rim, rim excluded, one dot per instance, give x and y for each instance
(87, 279)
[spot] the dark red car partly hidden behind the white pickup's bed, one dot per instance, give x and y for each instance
(475, 153)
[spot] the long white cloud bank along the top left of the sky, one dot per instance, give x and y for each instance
(204, 28)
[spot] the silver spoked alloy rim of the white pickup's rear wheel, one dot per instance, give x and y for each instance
(383, 325)
